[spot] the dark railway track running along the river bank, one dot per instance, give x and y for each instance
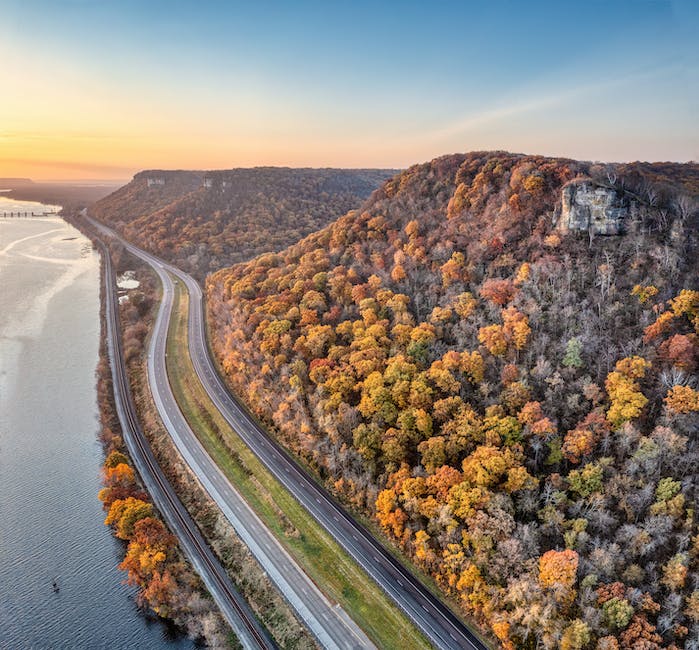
(232, 605)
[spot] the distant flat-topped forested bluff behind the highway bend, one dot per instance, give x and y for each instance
(204, 221)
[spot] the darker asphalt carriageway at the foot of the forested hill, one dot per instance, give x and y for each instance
(439, 624)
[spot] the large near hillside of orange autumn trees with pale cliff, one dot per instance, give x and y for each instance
(496, 358)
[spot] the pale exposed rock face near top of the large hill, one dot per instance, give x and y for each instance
(593, 208)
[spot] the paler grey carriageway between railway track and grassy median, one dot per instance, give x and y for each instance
(328, 622)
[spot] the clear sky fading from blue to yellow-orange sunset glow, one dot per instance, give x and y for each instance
(101, 89)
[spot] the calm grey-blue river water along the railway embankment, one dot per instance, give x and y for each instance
(50, 518)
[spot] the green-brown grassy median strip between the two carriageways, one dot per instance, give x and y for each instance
(339, 577)
